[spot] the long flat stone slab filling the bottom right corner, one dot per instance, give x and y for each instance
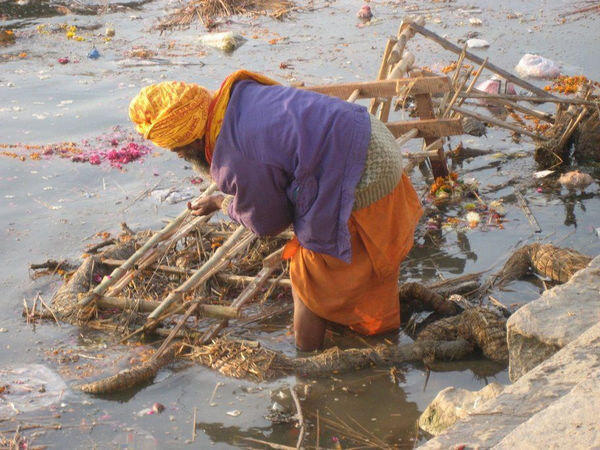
(550, 390)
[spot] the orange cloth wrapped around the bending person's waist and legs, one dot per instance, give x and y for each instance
(362, 295)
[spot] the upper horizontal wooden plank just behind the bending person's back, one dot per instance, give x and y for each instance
(384, 88)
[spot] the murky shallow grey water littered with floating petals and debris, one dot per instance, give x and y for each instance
(52, 208)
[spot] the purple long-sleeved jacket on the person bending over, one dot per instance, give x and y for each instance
(291, 156)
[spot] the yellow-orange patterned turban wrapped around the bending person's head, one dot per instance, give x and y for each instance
(171, 114)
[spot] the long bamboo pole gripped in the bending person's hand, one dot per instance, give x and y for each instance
(163, 234)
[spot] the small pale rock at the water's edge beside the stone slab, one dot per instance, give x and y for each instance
(453, 404)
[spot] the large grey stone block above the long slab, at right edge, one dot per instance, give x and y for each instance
(541, 328)
